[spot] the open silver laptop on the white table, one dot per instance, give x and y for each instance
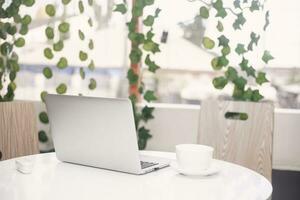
(97, 132)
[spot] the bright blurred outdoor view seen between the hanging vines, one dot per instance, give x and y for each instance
(183, 77)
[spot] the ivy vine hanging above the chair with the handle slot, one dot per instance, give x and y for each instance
(241, 90)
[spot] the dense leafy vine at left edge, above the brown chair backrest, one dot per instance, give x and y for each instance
(13, 27)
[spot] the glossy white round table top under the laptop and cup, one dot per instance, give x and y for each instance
(55, 180)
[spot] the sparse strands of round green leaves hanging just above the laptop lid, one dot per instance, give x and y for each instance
(57, 33)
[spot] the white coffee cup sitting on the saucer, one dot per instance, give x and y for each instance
(193, 157)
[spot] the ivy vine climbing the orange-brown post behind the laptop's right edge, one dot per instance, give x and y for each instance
(143, 47)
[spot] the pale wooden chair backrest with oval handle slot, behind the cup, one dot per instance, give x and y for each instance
(247, 142)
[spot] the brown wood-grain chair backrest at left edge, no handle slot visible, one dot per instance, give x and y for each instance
(18, 129)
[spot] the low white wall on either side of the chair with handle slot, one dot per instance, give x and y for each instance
(175, 124)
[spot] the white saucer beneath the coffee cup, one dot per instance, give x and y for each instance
(210, 171)
